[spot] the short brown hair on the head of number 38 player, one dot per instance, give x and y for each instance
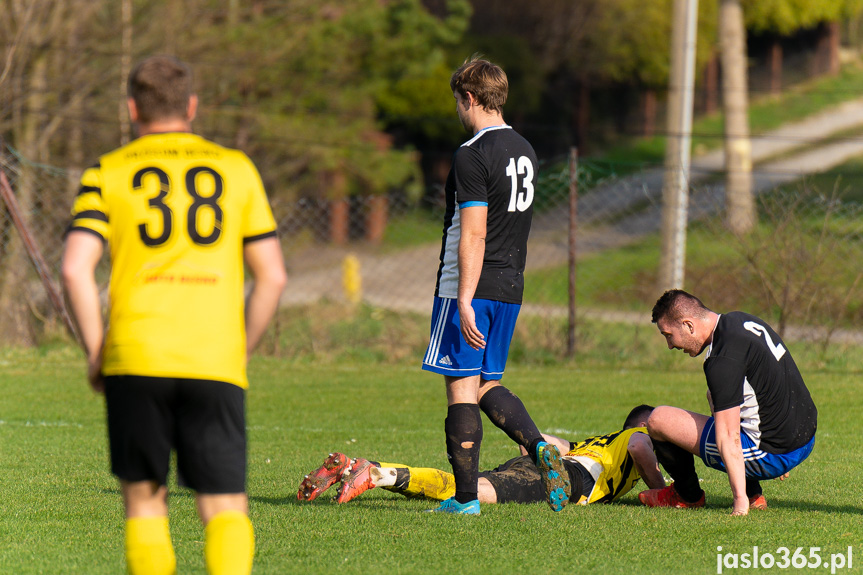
(161, 87)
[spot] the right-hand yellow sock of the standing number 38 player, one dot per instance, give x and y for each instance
(229, 544)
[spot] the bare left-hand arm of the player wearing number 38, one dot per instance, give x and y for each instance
(81, 255)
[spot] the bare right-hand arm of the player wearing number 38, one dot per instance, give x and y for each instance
(264, 260)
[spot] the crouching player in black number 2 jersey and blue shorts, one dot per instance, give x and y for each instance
(764, 419)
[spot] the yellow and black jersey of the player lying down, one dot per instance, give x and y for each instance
(607, 459)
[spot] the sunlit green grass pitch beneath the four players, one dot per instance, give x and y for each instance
(60, 509)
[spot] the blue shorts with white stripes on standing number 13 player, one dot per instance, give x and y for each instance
(449, 354)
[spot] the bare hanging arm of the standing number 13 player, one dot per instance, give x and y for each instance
(471, 253)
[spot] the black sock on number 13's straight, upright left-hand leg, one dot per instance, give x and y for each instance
(463, 427)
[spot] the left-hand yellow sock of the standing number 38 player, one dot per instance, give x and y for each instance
(148, 547)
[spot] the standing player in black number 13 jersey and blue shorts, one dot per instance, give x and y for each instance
(489, 196)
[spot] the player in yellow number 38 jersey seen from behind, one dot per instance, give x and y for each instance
(180, 216)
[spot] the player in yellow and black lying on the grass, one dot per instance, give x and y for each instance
(601, 468)
